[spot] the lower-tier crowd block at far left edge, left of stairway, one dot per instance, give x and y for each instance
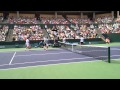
(3, 32)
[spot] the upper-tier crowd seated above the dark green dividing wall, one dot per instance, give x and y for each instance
(59, 20)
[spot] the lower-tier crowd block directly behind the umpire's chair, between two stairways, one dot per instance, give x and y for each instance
(61, 31)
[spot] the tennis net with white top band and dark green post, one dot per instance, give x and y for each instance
(97, 52)
